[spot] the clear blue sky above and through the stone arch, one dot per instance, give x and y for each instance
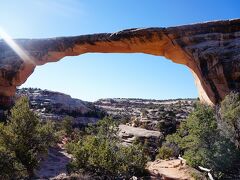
(93, 76)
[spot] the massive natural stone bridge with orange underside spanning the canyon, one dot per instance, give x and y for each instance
(211, 50)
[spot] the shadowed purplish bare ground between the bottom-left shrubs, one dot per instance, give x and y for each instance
(54, 165)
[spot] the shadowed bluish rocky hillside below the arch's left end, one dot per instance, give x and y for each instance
(55, 106)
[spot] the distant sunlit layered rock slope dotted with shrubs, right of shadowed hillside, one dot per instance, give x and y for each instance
(157, 115)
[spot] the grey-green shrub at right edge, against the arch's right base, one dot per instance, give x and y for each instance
(229, 119)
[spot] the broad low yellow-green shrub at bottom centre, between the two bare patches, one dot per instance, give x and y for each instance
(102, 156)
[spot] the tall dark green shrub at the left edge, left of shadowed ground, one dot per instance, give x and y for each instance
(25, 137)
